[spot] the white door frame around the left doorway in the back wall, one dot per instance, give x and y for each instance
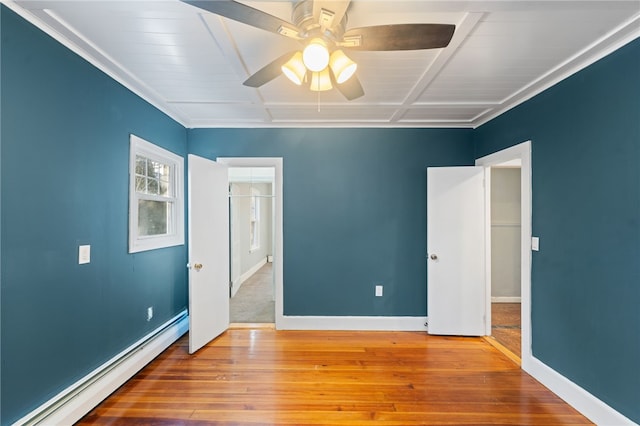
(278, 251)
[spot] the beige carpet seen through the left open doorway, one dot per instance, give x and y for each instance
(254, 301)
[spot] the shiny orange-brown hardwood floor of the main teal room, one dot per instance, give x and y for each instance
(270, 377)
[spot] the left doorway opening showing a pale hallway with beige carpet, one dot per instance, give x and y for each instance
(252, 289)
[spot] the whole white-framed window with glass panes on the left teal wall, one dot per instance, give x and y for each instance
(156, 203)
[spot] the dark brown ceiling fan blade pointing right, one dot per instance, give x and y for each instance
(399, 37)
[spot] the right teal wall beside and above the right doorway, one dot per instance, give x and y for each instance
(585, 135)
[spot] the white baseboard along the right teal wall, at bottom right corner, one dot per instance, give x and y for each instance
(587, 404)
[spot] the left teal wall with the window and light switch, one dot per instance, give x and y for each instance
(64, 147)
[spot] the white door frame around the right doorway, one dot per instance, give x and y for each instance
(521, 152)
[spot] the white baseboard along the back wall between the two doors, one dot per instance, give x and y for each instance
(288, 322)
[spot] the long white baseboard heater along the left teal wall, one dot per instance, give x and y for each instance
(73, 403)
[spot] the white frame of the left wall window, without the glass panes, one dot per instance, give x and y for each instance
(175, 232)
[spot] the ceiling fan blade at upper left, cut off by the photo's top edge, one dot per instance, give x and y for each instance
(248, 15)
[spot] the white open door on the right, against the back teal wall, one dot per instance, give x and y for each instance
(456, 248)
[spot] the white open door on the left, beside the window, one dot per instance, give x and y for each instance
(208, 251)
